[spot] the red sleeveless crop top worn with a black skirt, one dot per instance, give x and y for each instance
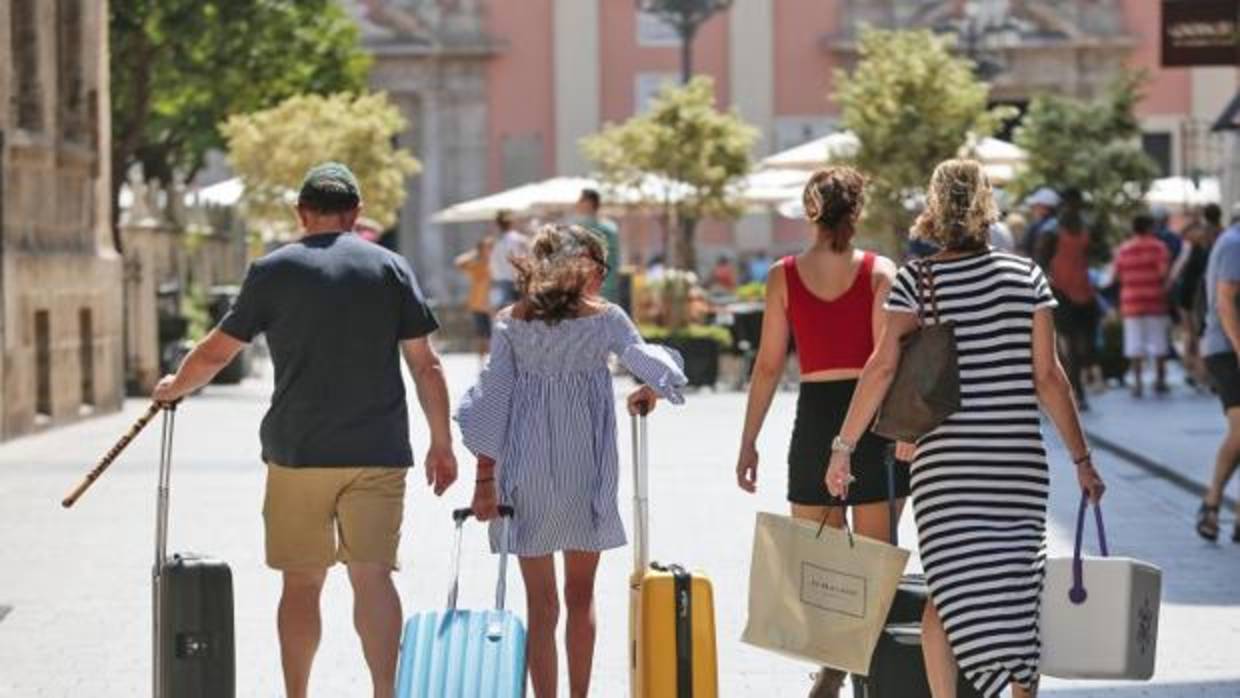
(833, 334)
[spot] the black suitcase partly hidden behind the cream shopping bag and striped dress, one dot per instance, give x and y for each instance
(897, 669)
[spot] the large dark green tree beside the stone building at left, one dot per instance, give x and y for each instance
(180, 68)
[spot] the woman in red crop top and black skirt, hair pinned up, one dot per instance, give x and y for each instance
(830, 299)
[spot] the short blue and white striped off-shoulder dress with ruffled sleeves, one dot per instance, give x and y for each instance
(545, 411)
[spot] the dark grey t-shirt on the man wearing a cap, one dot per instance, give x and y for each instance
(335, 309)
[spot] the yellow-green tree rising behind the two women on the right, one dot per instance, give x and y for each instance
(912, 104)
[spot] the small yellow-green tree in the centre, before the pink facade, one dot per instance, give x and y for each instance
(684, 154)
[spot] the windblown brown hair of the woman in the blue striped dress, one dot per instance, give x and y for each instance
(554, 280)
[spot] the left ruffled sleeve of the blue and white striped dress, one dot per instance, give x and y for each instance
(485, 410)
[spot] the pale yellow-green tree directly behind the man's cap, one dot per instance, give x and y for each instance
(272, 151)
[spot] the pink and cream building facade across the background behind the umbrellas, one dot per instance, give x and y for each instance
(500, 92)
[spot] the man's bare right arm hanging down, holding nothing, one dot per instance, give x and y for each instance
(432, 387)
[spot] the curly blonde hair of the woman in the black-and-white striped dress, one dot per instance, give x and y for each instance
(960, 208)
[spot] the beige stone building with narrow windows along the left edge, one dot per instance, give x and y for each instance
(60, 278)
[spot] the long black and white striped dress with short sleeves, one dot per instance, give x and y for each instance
(980, 482)
